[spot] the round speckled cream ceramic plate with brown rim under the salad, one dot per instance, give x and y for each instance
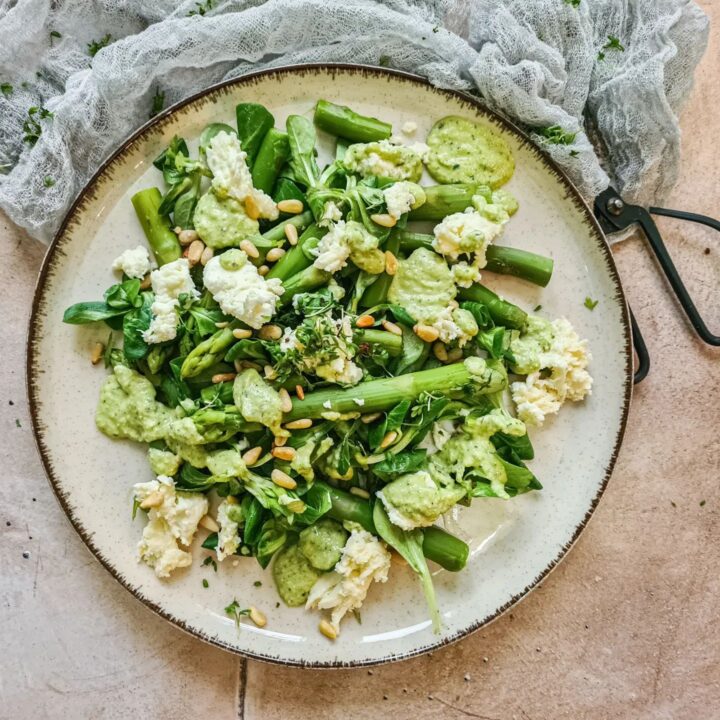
(515, 544)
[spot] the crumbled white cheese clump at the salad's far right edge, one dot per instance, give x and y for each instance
(567, 360)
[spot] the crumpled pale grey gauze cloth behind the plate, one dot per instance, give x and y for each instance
(597, 83)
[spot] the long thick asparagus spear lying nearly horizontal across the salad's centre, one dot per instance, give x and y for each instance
(385, 393)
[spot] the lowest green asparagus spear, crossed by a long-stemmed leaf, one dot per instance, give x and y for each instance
(438, 545)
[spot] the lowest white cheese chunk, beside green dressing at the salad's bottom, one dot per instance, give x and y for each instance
(364, 560)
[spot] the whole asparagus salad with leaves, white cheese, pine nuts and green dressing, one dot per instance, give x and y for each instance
(311, 358)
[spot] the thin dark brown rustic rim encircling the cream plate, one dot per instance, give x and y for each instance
(55, 250)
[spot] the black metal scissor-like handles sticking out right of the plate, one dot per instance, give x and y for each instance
(615, 215)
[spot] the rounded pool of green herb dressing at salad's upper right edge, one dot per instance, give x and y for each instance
(463, 151)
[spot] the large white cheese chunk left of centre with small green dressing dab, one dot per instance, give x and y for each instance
(243, 293)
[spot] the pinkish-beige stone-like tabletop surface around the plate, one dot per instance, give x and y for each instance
(626, 628)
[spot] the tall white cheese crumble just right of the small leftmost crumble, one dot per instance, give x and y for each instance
(168, 283)
